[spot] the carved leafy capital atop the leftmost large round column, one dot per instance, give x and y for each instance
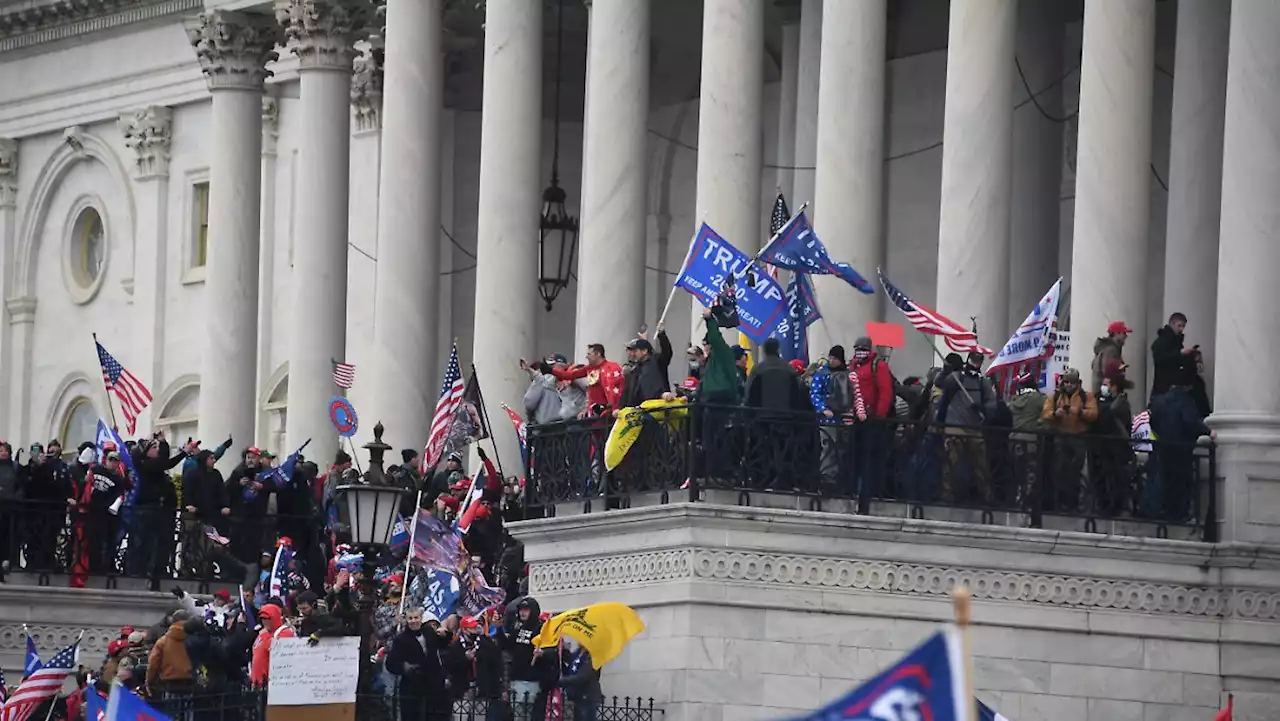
(235, 48)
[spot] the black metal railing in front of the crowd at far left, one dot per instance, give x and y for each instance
(147, 542)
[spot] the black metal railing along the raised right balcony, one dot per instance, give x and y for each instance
(687, 453)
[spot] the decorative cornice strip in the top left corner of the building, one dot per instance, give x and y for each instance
(61, 20)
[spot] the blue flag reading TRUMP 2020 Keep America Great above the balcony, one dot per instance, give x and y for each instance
(711, 262)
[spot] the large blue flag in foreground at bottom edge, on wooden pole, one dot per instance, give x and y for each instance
(927, 683)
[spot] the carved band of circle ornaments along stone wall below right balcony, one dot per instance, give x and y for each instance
(902, 579)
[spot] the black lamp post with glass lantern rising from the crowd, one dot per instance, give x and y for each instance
(372, 509)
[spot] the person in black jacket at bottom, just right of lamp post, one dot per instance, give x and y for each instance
(415, 658)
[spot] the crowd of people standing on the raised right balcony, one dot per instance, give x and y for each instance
(948, 431)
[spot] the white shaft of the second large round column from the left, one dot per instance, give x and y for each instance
(319, 332)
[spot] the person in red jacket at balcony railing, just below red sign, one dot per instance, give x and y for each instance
(872, 435)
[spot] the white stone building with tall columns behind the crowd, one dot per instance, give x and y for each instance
(234, 195)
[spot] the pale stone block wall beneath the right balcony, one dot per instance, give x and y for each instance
(761, 614)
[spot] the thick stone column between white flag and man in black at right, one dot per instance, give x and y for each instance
(1113, 182)
